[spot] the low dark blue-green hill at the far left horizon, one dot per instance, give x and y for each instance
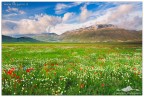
(20, 39)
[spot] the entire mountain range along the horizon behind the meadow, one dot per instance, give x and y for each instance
(94, 33)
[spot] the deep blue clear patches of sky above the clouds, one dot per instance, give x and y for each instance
(49, 8)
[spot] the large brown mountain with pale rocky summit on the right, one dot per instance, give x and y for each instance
(101, 33)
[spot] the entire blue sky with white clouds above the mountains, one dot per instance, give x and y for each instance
(59, 17)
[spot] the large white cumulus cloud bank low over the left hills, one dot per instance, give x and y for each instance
(37, 25)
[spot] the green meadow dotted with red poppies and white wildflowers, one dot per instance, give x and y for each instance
(71, 69)
